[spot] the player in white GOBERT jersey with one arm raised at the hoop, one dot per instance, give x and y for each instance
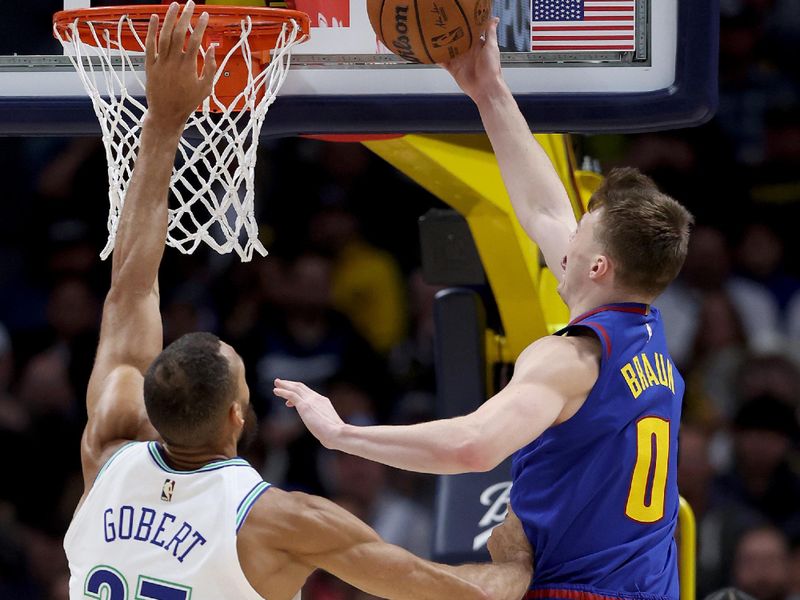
(169, 512)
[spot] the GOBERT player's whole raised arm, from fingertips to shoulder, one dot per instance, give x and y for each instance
(131, 330)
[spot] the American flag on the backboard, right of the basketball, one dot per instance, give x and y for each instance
(575, 25)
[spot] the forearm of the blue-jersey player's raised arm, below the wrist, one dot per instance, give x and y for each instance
(532, 183)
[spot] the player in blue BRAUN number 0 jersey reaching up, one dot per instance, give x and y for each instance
(591, 414)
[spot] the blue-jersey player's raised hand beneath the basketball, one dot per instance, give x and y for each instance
(478, 71)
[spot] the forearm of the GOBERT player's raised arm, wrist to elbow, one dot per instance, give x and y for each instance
(142, 229)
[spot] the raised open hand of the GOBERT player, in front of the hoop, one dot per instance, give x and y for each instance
(174, 88)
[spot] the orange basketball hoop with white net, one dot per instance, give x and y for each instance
(213, 180)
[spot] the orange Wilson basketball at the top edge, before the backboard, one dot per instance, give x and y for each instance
(428, 31)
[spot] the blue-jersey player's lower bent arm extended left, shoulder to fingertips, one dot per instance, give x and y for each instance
(551, 378)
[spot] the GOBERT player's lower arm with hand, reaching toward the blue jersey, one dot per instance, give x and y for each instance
(320, 534)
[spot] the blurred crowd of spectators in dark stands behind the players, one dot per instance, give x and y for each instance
(341, 304)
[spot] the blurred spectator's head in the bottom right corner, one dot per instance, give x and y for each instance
(761, 564)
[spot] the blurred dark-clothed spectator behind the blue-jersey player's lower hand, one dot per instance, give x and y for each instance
(308, 337)
